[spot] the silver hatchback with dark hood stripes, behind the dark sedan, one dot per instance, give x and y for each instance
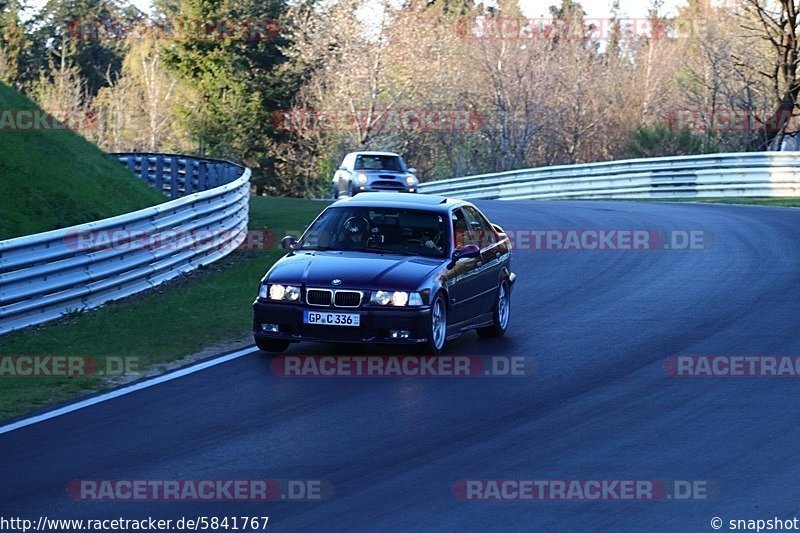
(373, 172)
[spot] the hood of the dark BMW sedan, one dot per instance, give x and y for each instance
(357, 270)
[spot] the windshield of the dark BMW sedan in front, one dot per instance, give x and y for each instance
(378, 230)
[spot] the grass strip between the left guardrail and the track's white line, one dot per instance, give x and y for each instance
(159, 327)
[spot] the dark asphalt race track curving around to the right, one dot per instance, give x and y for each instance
(599, 325)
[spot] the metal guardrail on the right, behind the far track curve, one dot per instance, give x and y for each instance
(775, 174)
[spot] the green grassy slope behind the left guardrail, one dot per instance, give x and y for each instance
(54, 178)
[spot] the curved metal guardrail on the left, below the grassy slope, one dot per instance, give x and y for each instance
(50, 274)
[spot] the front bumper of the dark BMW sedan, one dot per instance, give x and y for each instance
(375, 324)
